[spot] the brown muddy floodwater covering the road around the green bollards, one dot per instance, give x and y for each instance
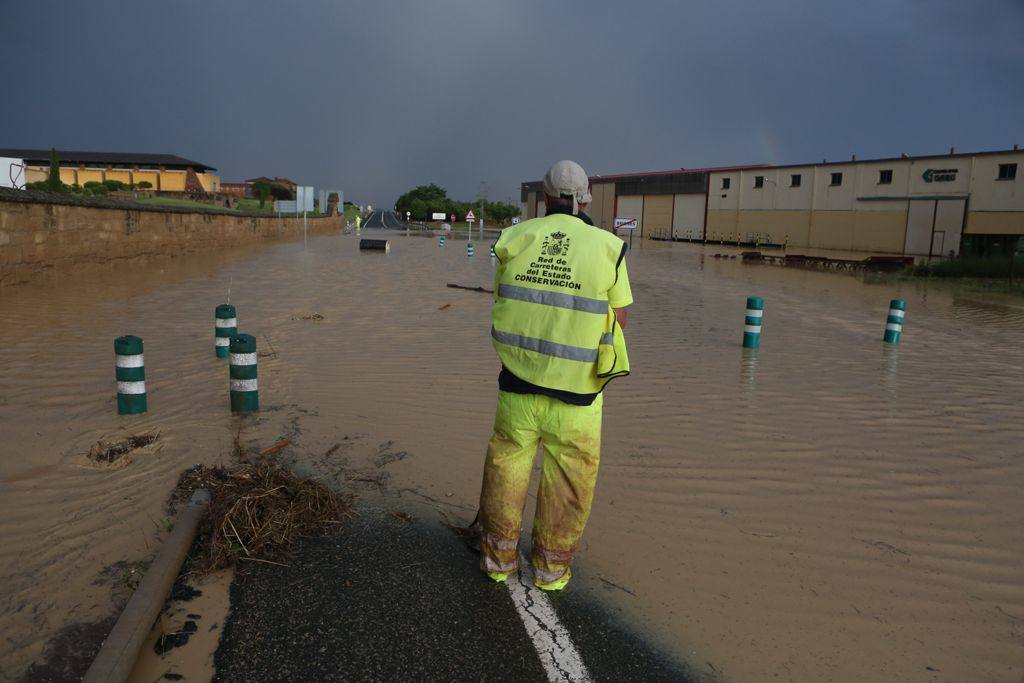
(823, 509)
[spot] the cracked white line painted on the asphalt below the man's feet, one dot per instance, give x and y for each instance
(559, 656)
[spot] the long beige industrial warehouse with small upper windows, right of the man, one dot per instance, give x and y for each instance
(917, 206)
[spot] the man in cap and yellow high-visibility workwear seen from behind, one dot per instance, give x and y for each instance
(561, 298)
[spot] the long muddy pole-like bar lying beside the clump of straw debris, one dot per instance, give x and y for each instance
(117, 657)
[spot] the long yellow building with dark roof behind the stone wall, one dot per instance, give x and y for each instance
(164, 173)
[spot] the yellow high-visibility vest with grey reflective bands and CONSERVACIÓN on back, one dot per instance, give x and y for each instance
(551, 323)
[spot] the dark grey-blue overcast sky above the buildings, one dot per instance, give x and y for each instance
(377, 97)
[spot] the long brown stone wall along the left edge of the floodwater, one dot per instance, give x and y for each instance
(40, 232)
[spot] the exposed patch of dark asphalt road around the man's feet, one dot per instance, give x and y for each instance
(387, 600)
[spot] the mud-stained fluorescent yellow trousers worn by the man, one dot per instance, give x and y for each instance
(572, 439)
